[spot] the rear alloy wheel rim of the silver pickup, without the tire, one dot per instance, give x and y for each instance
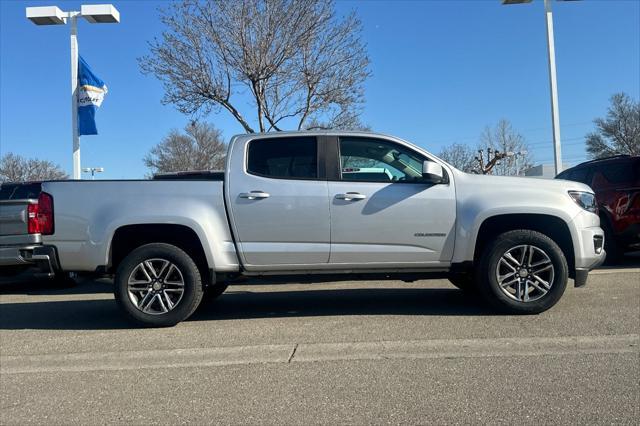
(156, 286)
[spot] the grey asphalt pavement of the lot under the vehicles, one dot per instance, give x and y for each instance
(339, 352)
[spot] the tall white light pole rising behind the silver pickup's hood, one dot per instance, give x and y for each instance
(551, 50)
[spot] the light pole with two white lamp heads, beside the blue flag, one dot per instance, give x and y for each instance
(94, 14)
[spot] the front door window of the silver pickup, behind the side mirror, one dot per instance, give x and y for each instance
(375, 160)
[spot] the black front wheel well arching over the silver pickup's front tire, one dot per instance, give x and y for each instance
(551, 226)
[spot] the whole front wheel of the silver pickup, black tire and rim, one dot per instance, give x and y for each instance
(522, 272)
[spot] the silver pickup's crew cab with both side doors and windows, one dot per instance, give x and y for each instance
(317, 213)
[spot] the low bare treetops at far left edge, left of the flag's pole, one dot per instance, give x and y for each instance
(15, 168)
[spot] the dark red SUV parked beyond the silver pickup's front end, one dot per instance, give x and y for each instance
(616, 182)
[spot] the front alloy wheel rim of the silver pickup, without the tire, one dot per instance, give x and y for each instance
(525, 273)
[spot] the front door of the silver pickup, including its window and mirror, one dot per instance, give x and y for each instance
(383, 213)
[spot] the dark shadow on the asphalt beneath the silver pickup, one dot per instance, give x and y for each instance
(237, 304)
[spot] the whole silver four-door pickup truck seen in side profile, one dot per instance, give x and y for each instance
(349, 204)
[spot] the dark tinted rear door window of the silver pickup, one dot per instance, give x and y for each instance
(284, 158)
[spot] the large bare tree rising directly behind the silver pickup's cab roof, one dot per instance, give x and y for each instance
(299, 62)
